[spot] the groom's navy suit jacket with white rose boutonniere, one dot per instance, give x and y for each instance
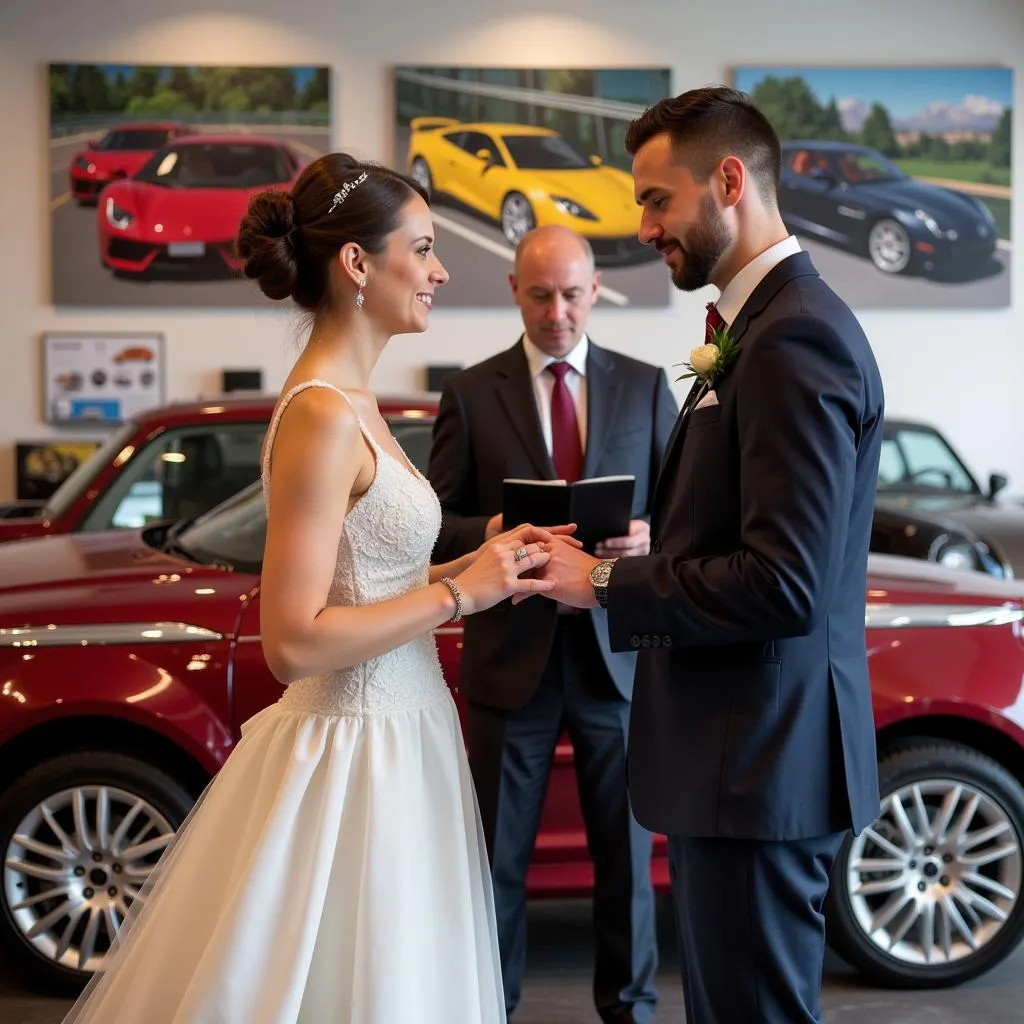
(752, 713)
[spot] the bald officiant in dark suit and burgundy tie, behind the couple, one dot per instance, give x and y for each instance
(554, 407)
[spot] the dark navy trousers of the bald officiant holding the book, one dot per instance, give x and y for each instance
(511, 754)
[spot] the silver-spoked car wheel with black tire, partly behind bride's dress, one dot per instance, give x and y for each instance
(155, 805)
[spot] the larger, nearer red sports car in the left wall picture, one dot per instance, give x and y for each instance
(183, 207)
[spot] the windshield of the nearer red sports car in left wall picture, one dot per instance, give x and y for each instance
(216, 165)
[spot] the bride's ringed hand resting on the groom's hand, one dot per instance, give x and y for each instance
(503, 567)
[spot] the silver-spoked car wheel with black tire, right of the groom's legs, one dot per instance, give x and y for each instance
(888, 946)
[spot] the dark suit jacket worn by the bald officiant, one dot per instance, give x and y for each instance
(489, 429)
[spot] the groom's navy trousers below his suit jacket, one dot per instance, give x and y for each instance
(751, 927)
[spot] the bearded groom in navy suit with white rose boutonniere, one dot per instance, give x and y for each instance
(752, 743)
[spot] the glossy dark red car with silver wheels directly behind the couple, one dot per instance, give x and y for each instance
(131, 659)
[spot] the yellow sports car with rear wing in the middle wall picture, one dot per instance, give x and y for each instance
(521, 177)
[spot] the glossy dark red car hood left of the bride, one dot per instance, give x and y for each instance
(115, 577)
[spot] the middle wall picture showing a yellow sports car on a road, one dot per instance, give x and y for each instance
(504, 150)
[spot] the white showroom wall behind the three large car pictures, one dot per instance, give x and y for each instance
(959, 369)
